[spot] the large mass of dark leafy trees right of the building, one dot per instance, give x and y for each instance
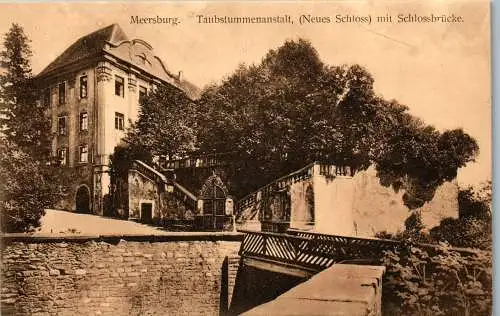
(292, 109)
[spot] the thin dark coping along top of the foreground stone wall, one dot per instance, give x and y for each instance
(116, 238)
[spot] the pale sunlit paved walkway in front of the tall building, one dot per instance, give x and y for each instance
(61, 222)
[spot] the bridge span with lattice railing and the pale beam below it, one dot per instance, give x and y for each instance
(303, 254)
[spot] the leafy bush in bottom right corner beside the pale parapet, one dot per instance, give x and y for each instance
(438, 281)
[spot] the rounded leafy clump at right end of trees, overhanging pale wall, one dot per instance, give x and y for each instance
(419, 158)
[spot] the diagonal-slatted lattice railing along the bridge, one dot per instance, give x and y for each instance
(312, 252)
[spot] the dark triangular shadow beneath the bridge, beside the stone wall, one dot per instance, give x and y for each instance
(254, 287)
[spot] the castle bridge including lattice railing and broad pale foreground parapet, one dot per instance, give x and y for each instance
(339, 274)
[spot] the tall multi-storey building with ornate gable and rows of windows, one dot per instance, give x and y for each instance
(93, 91)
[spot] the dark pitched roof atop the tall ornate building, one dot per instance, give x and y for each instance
(87, 46)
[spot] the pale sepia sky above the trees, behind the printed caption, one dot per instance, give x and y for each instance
(441, 71)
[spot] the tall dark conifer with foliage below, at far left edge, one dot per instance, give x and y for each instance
(31, 180)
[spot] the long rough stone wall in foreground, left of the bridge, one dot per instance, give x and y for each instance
(177, 274)
